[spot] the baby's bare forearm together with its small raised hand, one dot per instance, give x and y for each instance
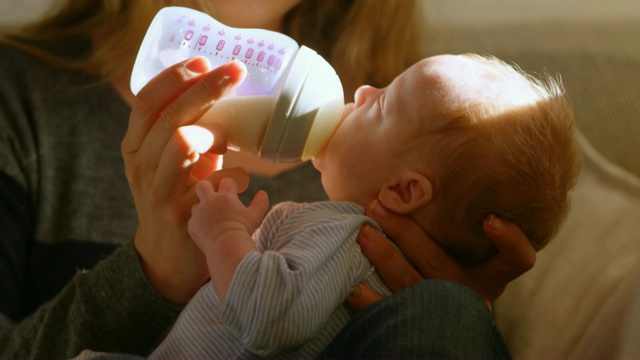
(221, 227)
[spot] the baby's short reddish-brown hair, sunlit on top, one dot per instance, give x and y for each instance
(514, 159)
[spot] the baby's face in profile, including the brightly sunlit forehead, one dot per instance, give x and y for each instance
(378, 134)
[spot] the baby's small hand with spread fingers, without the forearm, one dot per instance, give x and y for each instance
(220, 213)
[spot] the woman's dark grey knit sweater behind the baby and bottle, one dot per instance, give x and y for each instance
(65, 206)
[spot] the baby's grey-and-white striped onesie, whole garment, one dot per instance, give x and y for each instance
(287, 297)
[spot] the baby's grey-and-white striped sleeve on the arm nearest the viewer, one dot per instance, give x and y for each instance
(281, 297)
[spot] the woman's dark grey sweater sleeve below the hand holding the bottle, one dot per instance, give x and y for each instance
(111, 308)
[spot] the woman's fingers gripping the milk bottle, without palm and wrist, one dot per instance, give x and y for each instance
(154, 135)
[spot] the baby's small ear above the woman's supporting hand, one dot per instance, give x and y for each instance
(409, 192)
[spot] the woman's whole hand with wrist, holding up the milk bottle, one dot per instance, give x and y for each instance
(165, 155)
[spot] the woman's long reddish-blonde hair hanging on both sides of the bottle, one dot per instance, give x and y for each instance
(367, 41)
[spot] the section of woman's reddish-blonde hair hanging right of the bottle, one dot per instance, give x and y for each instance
(367, 42)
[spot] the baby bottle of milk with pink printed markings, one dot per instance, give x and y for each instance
(288, 105)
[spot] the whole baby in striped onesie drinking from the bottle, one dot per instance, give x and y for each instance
(449, 141)
